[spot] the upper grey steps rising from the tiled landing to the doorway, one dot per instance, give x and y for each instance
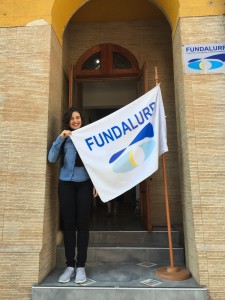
(129, 246)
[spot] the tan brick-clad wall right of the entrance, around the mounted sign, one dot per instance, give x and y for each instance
(200, 122)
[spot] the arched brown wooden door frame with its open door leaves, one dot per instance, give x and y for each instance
(77, 76)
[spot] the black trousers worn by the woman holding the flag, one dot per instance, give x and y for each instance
(75, 199)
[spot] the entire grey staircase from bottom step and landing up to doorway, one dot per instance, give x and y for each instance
(118, 265)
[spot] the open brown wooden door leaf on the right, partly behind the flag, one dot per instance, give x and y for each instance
(145, 203)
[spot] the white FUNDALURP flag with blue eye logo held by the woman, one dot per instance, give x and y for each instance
(122, 149)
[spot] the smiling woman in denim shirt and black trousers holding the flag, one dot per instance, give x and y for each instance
(76, 193)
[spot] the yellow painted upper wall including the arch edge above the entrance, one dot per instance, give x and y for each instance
(59, 12)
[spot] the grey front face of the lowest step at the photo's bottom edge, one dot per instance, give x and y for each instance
(118, 293)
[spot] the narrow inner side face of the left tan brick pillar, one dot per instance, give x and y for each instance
(50, 222)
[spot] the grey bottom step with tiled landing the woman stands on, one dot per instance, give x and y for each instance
(121, 281)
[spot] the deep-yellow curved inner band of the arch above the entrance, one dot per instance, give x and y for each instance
(63, 10)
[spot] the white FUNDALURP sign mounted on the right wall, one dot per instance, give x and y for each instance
(204, 58)
